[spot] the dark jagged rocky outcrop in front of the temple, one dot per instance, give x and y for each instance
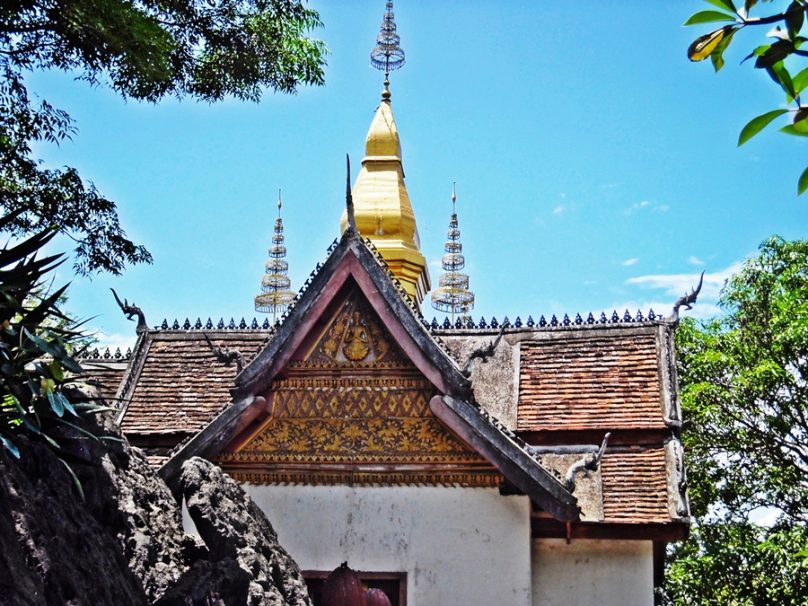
(122, 542)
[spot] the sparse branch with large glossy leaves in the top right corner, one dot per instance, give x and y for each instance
(783, 58)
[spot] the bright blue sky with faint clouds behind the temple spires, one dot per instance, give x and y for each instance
(596, 167)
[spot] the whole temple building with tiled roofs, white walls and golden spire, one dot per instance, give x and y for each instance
(526, 463)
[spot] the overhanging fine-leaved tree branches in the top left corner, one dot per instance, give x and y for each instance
(205, 49)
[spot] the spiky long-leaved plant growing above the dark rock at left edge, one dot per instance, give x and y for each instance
(35, 340)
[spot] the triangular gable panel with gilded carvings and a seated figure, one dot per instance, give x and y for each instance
(350, 407)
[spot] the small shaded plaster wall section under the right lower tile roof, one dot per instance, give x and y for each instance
(592, 573)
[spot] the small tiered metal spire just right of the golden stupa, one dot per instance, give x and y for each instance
(453, 295)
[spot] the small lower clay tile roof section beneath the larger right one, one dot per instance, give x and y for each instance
(635, 487)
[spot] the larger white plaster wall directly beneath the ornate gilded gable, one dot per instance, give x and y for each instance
(458, 546)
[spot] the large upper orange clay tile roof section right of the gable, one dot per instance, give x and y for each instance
(585, 380)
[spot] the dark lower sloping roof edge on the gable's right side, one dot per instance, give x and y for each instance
(503, 450)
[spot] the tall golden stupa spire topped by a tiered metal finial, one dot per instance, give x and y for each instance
(382, 207)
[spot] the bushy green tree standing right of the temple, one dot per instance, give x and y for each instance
(744, 393)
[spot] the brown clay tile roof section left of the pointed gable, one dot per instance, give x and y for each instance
(180, 385)
